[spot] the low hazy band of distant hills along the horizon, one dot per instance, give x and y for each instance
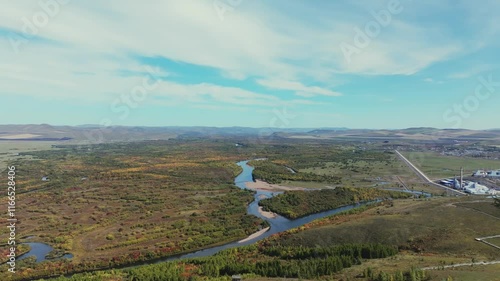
(96, 133)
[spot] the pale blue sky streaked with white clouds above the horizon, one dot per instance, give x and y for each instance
(357, 64)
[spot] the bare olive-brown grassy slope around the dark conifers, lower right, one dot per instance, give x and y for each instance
(429, 232)
